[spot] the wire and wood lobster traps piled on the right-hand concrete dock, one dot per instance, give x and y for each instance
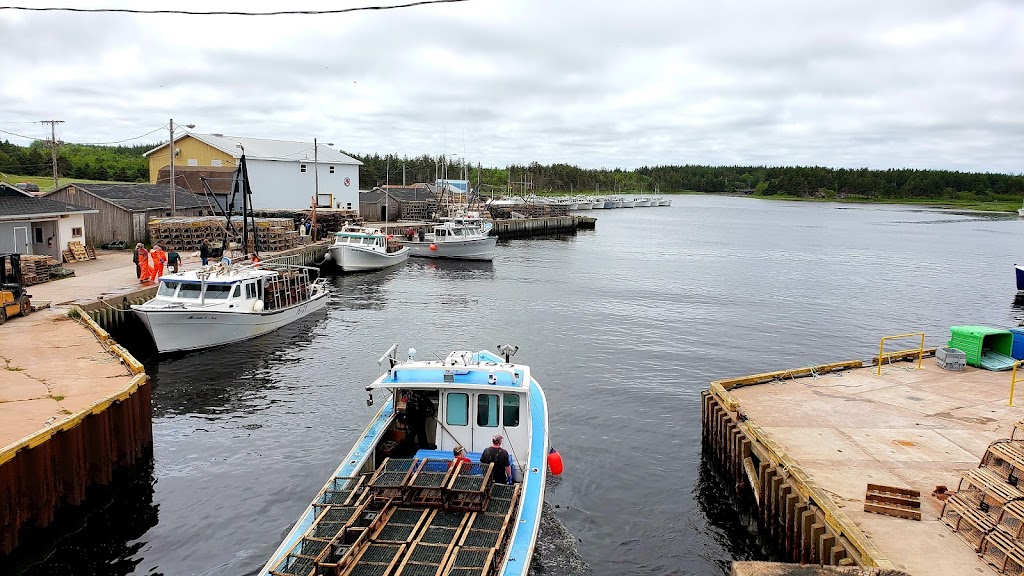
(988, 511)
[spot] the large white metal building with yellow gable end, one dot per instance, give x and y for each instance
(283, 175)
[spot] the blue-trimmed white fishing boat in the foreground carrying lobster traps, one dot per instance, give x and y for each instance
(400, 506)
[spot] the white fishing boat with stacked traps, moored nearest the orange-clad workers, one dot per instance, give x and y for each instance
(224, 304)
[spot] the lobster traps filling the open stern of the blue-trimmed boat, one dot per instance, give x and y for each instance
(410, 518)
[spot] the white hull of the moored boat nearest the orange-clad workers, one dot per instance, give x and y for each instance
(183, 331)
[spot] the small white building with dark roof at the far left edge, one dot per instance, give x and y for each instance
(38, 226)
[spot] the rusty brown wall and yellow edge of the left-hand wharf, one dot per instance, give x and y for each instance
(65, 460)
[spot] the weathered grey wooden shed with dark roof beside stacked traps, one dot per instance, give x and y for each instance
(124, 211)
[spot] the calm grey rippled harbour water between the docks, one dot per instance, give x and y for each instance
(624, 327)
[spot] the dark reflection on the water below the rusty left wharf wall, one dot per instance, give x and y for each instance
(102, 537)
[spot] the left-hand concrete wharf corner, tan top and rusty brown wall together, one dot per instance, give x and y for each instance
(75, 407)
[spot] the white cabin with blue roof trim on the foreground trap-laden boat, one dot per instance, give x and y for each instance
(463, 400)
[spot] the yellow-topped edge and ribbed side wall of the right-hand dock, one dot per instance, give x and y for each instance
(801, 518)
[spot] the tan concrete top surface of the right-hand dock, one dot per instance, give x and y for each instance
(907, 428)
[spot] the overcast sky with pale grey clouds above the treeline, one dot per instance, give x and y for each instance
(873, 84)
